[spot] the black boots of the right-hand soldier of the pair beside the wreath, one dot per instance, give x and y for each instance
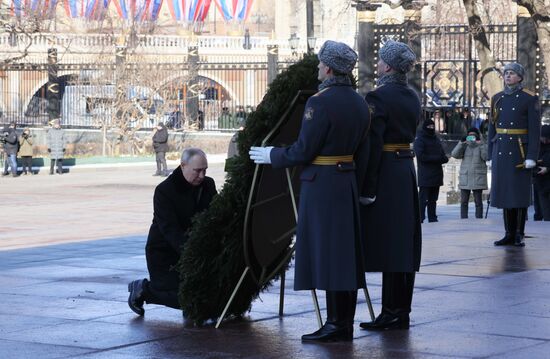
(397, 291)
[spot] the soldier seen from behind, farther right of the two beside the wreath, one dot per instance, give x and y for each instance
(391, 214)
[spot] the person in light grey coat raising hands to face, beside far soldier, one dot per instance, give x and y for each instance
(473, 170)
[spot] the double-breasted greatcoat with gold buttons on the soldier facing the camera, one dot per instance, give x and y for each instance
(510, 185)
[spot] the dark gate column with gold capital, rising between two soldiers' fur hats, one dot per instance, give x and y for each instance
(366, 15)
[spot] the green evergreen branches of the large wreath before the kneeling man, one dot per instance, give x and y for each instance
(212, 259)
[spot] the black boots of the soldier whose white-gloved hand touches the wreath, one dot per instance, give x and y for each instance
(336, 327)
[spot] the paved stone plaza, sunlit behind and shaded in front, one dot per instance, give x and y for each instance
(70, 244)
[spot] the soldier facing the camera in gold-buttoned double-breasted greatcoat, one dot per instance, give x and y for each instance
(514, 137)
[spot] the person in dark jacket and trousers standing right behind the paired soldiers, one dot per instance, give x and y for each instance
(430, 156)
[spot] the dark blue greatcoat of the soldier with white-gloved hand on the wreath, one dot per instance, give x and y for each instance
(328, 247)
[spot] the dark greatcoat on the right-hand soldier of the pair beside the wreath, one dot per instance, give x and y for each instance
(393, 238)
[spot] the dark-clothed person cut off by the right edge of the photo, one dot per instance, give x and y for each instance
(542, 176)
